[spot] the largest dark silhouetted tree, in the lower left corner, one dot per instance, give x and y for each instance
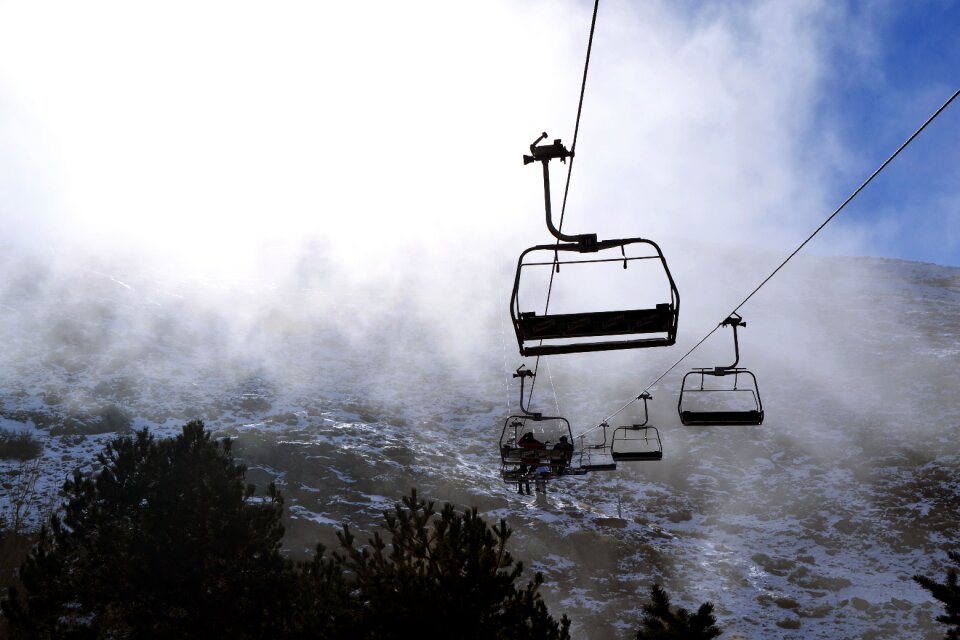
(164, 541)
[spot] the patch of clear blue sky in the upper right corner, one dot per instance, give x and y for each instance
(877, 97)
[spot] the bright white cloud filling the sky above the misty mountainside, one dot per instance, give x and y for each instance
(194, 131)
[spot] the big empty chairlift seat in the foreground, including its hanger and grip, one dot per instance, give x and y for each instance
(593, 266)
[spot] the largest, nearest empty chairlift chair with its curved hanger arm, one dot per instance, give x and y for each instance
(591, 330)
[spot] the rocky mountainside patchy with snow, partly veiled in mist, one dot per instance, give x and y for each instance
(808, 526)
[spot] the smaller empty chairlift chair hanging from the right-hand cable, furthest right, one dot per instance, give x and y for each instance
(721, 395)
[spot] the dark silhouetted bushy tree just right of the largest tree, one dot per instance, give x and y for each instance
(442, 575)
